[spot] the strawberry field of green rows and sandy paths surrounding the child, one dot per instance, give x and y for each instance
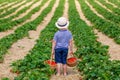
(27, 28)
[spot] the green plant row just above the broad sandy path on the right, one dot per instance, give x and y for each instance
(108, 28)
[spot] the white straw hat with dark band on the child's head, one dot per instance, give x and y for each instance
(62, 22)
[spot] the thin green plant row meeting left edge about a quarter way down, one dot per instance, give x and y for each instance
(18, 13)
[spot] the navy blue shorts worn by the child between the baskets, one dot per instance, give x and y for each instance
(61, 55)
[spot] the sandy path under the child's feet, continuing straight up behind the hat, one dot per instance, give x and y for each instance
(73, 74)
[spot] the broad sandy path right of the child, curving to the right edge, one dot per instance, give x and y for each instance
(114, 49)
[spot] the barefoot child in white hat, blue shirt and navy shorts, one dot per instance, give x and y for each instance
(61, 42)
